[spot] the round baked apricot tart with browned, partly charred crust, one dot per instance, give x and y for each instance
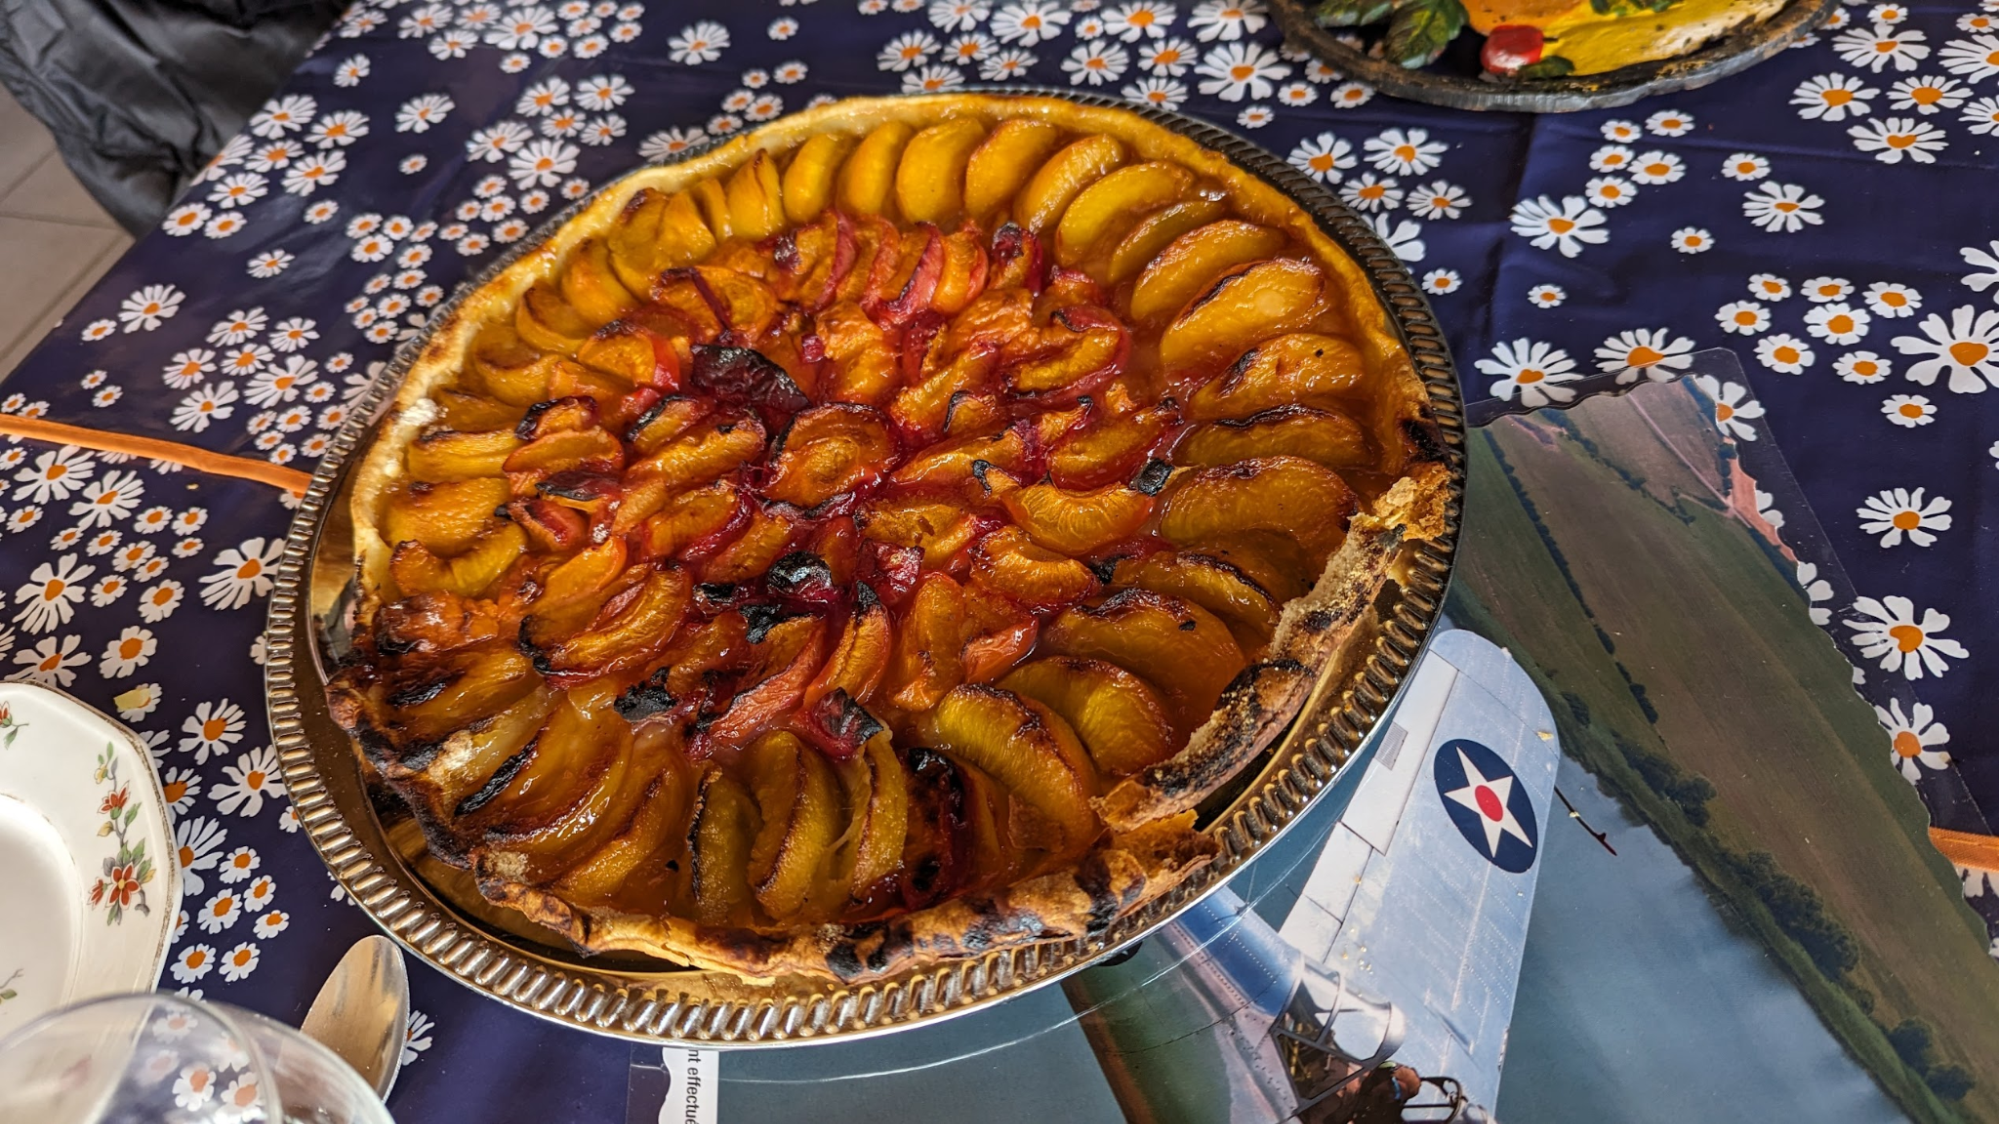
(873, 541)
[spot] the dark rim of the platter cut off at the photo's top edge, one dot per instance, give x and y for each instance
(1728, 55)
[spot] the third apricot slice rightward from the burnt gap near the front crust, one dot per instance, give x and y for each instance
(1176, 646)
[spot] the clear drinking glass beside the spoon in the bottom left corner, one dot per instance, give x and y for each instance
(173, 1060)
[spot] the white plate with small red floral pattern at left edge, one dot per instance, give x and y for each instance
(89, 886)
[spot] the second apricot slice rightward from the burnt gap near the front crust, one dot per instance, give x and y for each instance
(1118, 716)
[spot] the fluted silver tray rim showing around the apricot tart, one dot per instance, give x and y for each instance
(379, 856)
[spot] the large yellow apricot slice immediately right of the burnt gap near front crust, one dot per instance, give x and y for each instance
(1026, 748)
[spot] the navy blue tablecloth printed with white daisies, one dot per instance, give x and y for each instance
(1828, 215)
